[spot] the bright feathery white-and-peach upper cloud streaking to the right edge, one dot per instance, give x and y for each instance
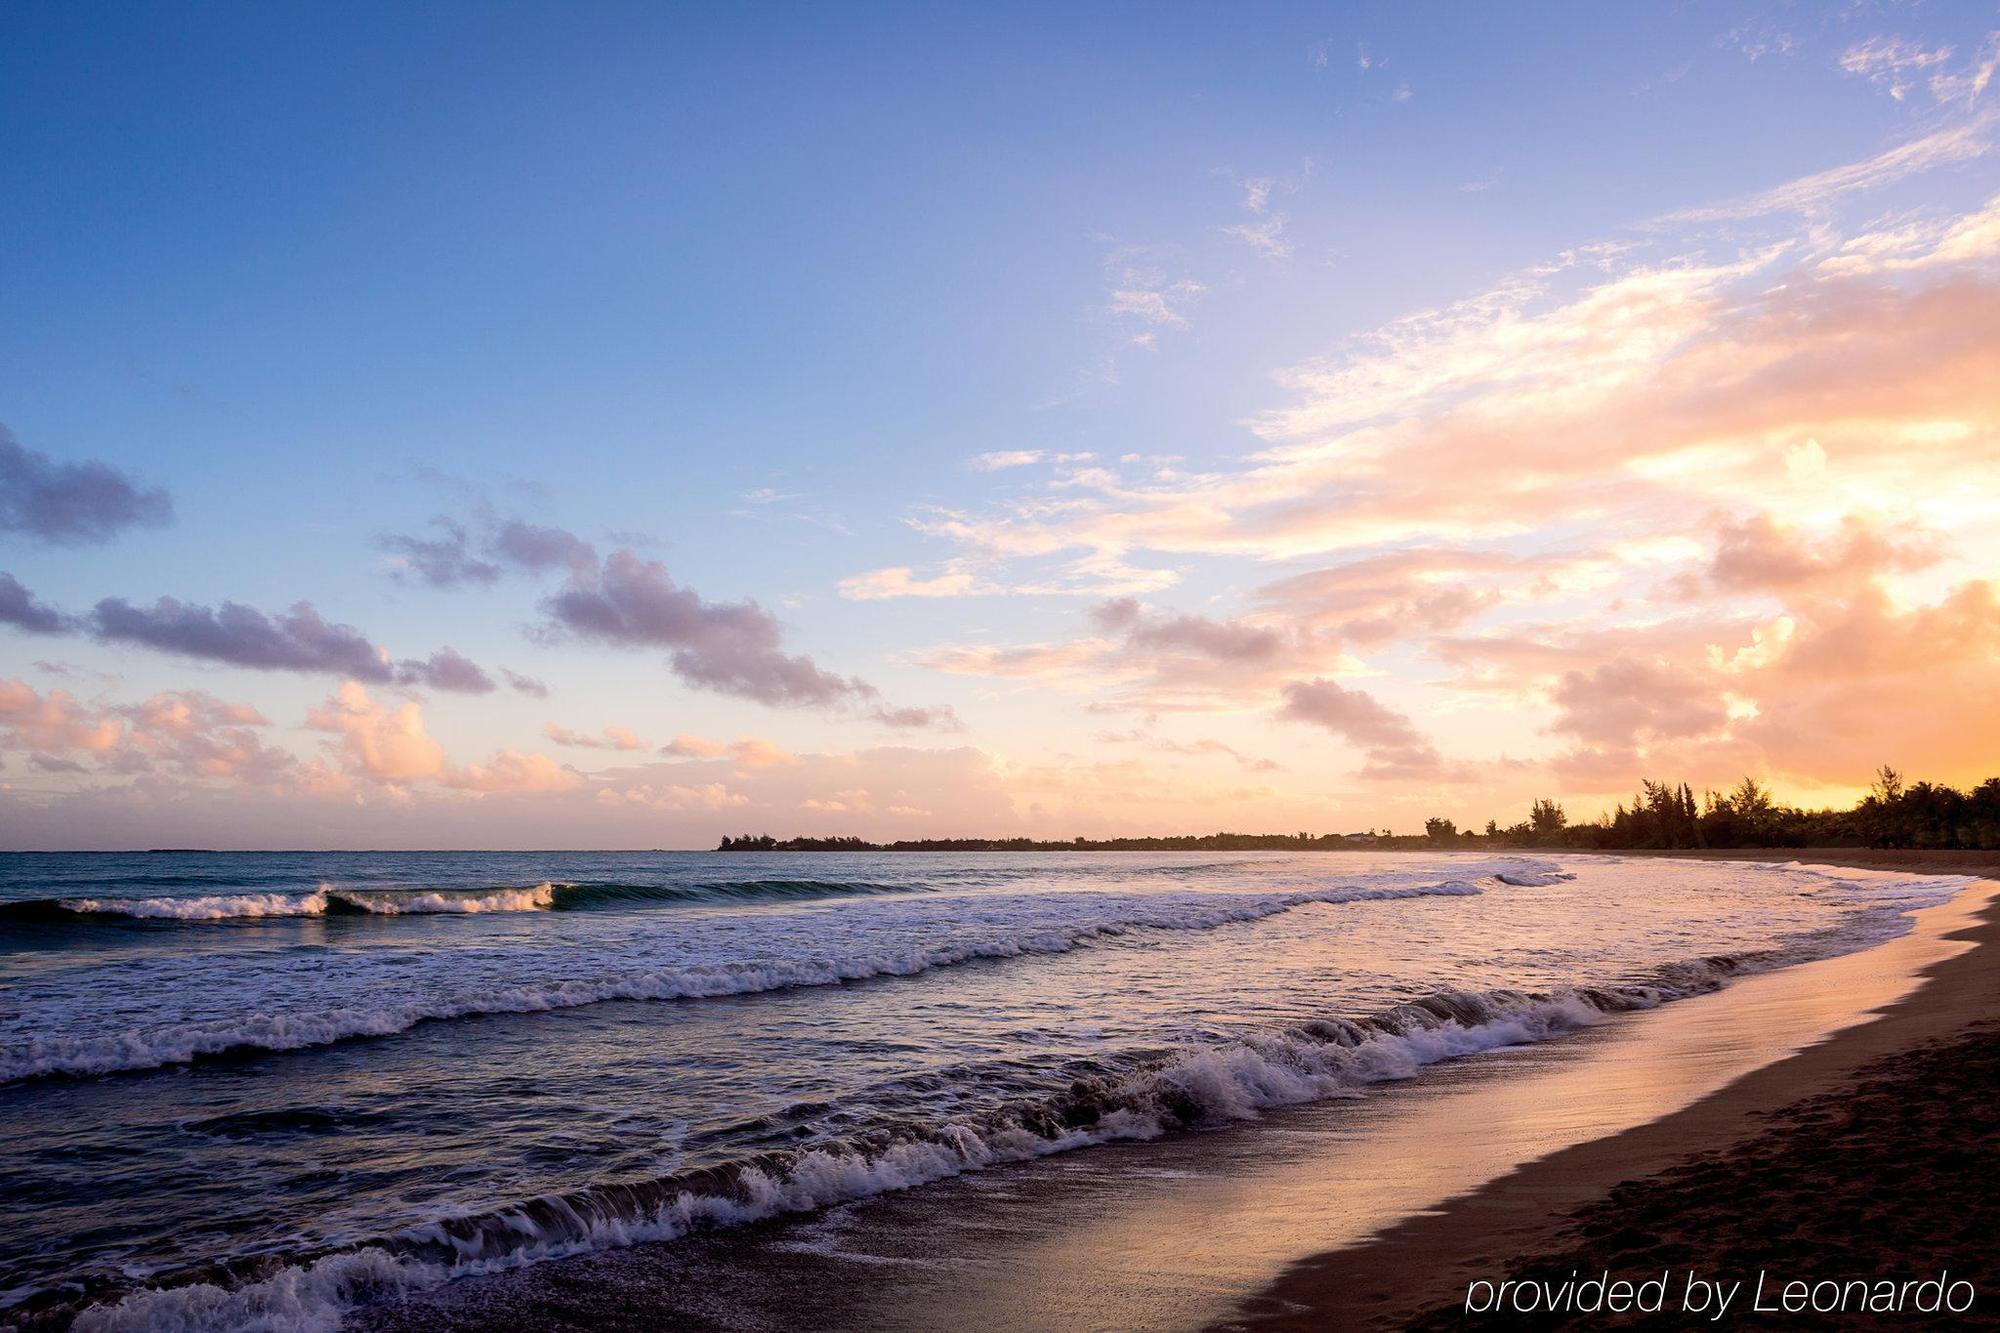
(1601, 395)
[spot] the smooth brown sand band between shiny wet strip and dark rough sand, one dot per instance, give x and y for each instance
(1421, 1266)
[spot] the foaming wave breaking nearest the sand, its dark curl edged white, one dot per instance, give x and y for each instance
(1207, 1086)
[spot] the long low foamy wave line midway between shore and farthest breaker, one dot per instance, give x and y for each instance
(181, 1044)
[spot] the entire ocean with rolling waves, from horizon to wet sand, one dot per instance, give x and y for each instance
(265, 1090)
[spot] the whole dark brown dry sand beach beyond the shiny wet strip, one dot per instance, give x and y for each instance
(1861, 1158)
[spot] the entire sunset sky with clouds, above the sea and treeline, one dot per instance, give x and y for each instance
(525, 425)
